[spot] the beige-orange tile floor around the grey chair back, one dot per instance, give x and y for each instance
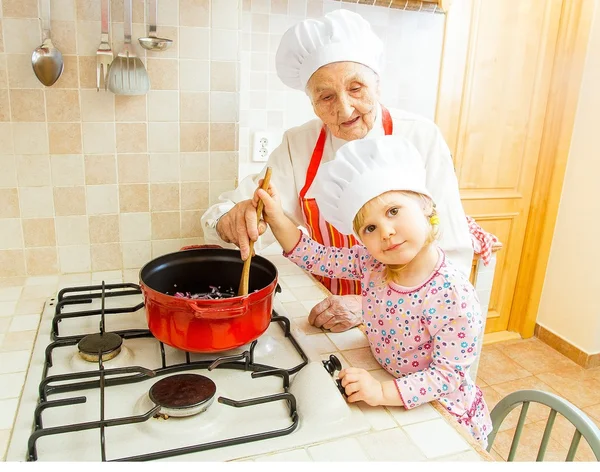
(531, 364)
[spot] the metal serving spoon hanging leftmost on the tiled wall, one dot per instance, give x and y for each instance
(46, 60)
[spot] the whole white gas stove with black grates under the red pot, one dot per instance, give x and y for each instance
(100, 387)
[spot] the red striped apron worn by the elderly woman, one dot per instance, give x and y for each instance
(319, 229)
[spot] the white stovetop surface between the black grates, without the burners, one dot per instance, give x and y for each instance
(323, 414)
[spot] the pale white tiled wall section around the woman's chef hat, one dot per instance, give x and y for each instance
(413, 47)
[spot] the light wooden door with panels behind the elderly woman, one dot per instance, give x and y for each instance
(494, 87)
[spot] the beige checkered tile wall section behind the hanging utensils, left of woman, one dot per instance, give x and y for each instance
(94, 181)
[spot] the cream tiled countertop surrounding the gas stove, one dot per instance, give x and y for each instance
(425, 433)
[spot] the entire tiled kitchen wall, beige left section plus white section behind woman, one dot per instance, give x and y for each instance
(94, 181)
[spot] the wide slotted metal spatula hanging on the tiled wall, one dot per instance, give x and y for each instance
(127, 75)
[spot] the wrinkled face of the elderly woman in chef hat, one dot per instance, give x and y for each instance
(344, 96)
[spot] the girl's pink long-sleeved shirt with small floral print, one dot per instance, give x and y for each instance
(425, 336)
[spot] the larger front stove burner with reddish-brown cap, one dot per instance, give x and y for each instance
(183, 394)
